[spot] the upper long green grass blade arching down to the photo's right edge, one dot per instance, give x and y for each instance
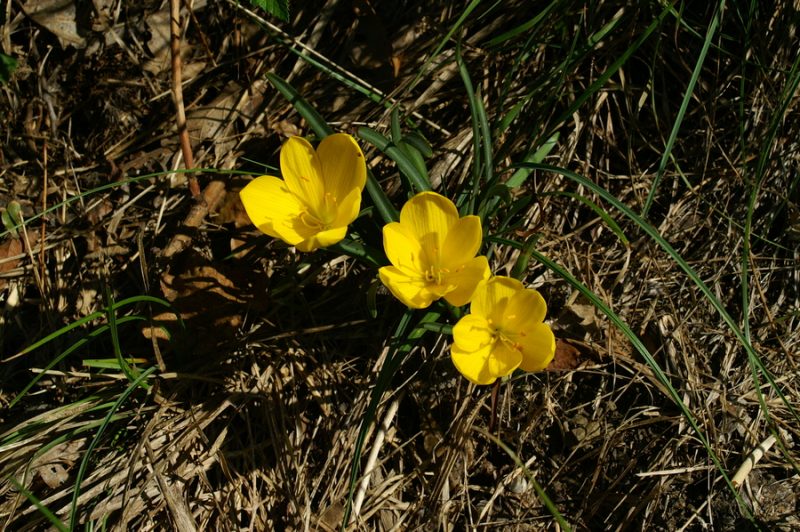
(674, 255)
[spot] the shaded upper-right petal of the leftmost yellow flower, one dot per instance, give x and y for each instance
(343, 166)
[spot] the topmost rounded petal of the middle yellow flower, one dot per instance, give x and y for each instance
(429, 216)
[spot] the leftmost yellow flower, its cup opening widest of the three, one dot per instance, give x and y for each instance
(319, 196)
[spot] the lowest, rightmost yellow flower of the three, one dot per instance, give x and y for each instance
(504, 331)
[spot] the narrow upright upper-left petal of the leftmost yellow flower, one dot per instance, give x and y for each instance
(301, 171)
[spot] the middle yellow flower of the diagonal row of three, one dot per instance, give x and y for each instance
(432, 252)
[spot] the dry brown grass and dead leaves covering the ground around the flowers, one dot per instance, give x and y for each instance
(254, 410)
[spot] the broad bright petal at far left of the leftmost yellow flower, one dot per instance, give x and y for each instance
(273, 209)
